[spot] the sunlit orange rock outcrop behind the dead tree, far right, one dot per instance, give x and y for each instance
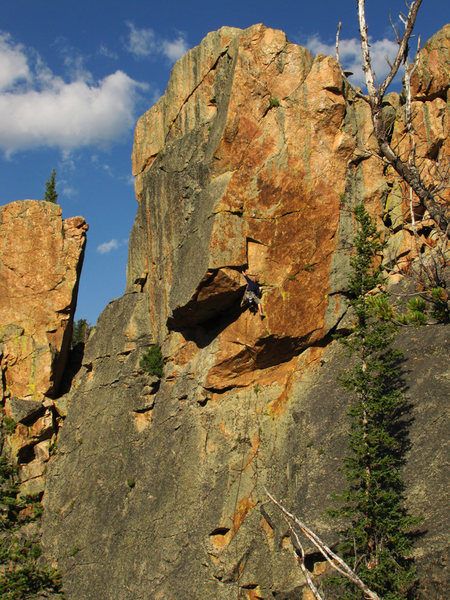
(430, 85)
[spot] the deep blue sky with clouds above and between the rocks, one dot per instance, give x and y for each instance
(76, 75)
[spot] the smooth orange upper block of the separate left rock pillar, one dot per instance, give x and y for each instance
(41, 257)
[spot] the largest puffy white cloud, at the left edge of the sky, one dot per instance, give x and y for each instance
(39, 108)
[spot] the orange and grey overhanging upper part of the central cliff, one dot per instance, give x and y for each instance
(242, 164)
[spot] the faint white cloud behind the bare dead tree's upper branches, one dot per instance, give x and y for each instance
(350, 55)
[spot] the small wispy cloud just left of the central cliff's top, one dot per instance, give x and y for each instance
(145, 42)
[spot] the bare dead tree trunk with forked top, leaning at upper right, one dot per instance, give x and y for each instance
(427, 193)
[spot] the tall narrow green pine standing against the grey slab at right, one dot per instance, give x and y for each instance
(376, 542)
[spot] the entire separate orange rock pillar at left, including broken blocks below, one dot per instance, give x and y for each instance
(40, 262)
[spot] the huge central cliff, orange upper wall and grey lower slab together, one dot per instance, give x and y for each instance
(252, 159)
